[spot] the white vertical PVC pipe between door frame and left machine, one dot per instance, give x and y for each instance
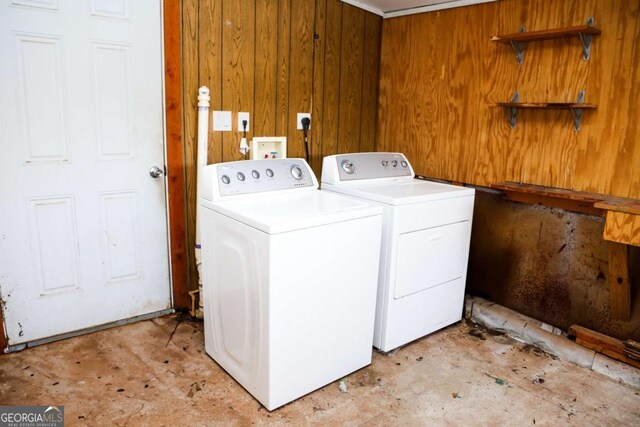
(201, 162)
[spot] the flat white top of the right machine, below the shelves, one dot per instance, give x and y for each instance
(402, 192)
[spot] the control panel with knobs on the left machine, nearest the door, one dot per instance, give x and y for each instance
(255, 176)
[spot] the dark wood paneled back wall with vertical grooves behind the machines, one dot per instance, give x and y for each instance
(274, 59)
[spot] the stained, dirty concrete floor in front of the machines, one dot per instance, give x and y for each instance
(156, 373)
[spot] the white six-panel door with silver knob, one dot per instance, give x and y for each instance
(83, 231)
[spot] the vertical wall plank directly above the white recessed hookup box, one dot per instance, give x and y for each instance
(265, 76)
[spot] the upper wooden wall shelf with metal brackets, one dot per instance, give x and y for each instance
(520, 39)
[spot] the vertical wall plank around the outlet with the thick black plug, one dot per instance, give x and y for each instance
(301, 64)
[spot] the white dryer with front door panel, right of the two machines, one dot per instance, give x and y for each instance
(425, 242)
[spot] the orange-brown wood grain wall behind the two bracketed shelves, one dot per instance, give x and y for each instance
(440, 73)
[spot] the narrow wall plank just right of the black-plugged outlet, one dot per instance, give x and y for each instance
(317, 96)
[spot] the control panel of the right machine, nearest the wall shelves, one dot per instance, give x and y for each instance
(359, 166)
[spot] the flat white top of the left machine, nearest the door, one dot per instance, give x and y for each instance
(290, 212)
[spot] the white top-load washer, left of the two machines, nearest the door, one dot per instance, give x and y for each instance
(289, 277)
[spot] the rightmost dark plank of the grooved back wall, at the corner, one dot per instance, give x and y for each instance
(370, 79)
